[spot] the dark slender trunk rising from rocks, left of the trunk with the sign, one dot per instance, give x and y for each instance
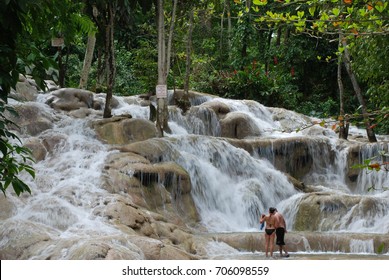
(110, 59)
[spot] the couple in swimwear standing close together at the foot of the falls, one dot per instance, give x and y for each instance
(275, 227)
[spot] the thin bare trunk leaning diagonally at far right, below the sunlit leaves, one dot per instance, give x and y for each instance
(347, 62)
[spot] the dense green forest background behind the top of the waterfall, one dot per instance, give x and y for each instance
(234, 51)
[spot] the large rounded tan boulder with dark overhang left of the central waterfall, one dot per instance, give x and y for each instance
(163, 187)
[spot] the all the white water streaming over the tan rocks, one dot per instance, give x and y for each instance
(230, 186)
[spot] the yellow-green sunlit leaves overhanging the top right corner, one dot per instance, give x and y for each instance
(351, 17)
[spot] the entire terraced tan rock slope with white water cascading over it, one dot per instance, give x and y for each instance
(110, 189)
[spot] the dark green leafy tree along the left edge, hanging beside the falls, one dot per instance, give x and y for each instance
(24, 27)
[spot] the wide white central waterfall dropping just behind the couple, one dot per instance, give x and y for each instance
(230, 188)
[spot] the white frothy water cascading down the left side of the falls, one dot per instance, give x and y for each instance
(67, 184)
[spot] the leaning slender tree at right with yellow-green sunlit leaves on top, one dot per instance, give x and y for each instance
(347, 18)
